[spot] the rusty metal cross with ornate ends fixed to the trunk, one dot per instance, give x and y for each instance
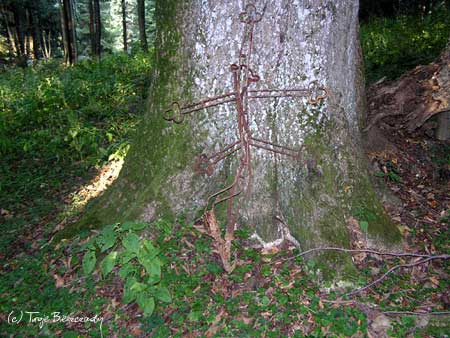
(243, 77)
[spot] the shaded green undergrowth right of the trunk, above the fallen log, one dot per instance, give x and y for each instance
(392, 46)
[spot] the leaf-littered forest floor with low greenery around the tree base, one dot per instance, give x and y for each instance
(271, 293)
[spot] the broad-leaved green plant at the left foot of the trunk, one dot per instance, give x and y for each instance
(138, 262)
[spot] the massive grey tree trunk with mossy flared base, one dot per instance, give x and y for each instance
(307, 193)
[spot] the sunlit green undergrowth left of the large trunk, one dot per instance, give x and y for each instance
(57, 123)
